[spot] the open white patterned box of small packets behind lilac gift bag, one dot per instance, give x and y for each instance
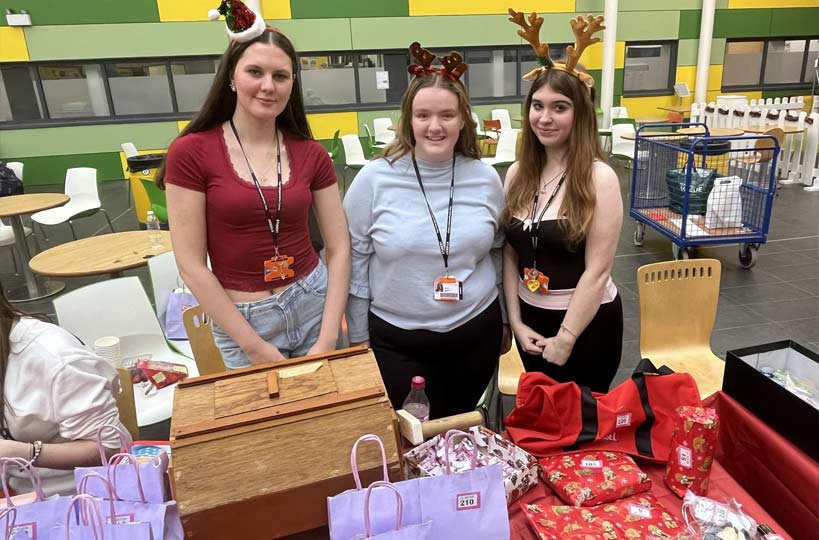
(520, 469)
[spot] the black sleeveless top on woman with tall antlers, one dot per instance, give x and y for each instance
(563, 267)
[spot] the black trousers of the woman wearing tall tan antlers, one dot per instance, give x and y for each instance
(596, 353)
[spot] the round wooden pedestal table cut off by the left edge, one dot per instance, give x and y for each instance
(15, 207)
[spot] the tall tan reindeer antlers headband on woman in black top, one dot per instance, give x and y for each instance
(583, 30)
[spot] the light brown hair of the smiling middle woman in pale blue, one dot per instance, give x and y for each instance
(404, 141)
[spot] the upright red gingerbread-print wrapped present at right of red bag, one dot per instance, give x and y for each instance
(692, 450)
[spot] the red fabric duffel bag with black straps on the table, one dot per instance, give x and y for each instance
(637, 417)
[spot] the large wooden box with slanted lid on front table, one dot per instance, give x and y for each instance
(257, 451)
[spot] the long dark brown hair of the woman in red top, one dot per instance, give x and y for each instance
(220, 103)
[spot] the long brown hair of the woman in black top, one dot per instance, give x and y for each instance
(583, 148)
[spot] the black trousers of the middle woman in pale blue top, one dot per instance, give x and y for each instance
(457, 365)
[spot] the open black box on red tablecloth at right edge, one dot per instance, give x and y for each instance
(794, 418)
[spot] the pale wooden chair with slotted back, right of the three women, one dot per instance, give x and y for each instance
(678, 305)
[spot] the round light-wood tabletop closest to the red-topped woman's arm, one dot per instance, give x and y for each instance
(104, 254)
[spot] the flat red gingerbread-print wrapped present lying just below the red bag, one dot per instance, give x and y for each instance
(591, 478)
